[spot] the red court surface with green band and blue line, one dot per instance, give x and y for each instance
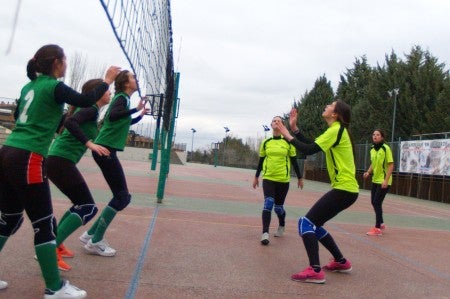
(202, 241)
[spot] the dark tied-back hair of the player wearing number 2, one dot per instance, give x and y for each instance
(42, 62)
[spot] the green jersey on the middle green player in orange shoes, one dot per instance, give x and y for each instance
(68, 146)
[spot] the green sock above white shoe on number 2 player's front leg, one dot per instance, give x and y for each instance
(46, 254)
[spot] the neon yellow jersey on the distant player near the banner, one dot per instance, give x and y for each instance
(380, 160)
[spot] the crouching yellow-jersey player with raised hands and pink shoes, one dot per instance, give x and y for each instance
(337, 145)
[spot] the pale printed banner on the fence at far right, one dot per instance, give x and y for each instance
(425, 157)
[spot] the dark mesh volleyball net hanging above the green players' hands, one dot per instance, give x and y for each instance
(143, 29)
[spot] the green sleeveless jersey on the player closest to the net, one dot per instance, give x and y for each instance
(114, 133)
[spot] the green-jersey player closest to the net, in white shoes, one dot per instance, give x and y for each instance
(113, 136)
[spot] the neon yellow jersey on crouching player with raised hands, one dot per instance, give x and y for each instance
(336, 144)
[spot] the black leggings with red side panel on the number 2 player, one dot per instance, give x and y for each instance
(24, 186)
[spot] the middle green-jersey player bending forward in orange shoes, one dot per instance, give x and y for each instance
(65, 152)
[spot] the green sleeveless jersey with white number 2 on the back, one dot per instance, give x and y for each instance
(38, 116)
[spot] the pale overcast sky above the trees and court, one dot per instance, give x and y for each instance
(241, 62)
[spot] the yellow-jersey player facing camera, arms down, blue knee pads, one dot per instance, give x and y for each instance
(276, 156)
